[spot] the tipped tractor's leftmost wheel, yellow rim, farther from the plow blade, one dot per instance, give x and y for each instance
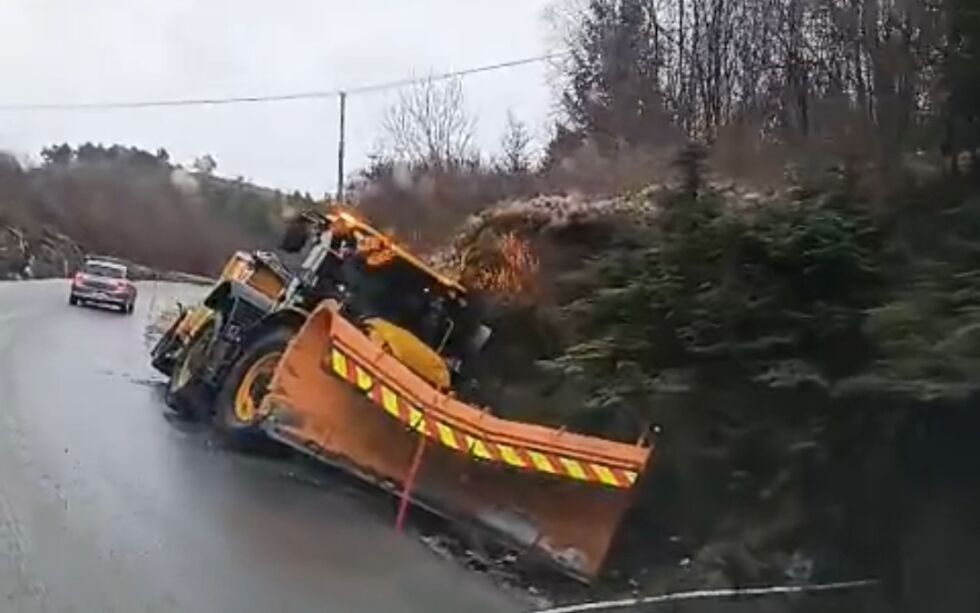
(187, 394)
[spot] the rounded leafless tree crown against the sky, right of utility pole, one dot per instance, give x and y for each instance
(430, 125)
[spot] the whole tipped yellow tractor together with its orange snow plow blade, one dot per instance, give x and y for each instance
(360, 359)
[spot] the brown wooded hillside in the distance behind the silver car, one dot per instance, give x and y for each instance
(132, 204)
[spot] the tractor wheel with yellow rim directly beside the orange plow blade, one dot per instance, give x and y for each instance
(237, 414)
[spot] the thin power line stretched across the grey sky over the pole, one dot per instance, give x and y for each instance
(267, 98)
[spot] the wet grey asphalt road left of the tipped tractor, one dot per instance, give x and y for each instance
(106, 504)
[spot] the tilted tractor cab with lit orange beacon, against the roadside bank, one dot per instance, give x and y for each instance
(419, 315)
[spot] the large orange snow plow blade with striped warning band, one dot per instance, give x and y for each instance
(341, 398)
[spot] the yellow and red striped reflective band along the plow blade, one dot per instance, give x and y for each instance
(472, 443)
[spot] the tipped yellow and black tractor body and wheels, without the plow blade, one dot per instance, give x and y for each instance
(231, 342)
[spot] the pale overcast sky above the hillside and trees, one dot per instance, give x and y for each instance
(93, 50)
